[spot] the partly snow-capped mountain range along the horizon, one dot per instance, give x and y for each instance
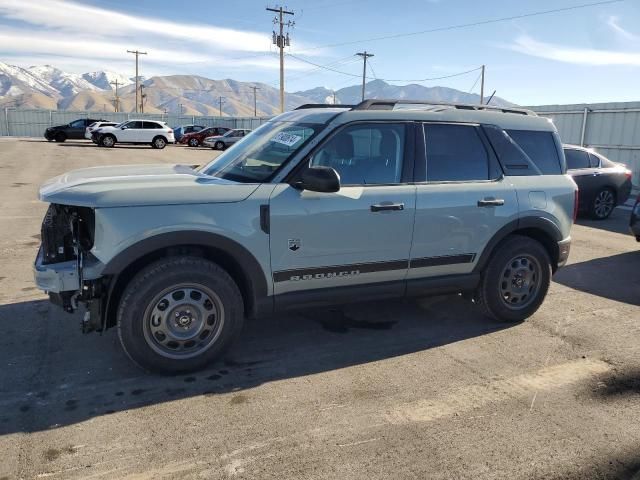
(51, 88)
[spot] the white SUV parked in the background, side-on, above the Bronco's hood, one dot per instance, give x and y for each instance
(151, 132)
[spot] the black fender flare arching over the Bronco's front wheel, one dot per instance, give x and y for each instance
(255, 279)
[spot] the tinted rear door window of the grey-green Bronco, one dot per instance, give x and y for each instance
(455, 153)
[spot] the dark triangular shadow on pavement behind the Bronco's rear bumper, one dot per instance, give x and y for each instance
(616, 277)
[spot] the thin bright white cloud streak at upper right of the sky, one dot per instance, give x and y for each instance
(575, 55)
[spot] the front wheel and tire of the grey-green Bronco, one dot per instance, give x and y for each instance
(182, 340)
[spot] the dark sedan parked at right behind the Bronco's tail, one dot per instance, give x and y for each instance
(603, 184)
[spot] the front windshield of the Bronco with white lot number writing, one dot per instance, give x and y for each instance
(256, 157)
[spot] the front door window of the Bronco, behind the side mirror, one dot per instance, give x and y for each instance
(365, 154)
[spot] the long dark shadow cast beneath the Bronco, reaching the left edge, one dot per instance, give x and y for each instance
(54, 376)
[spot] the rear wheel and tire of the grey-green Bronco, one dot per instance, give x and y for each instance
(515, 281)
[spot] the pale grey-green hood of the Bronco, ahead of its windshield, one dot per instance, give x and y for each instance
(137, 185)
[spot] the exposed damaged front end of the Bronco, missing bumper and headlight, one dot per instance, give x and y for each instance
(65, 267)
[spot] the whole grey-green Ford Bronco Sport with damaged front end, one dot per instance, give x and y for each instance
(318, 206)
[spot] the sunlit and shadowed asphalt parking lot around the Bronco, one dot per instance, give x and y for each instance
(425, 389)
